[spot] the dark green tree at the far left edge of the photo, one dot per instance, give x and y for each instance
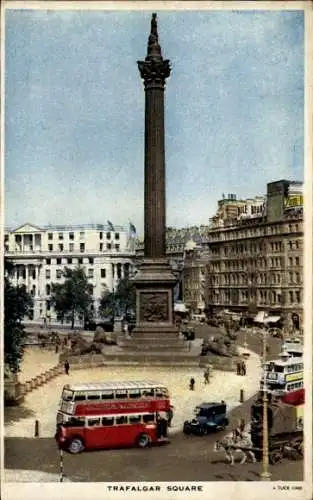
(18, 303)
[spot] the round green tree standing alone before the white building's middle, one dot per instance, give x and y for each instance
(73, 297)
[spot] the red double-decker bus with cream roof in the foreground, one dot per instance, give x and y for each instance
(112, 415)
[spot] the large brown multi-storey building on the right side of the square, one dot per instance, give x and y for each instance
(256, 256)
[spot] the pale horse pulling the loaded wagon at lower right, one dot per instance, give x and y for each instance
(234, 443)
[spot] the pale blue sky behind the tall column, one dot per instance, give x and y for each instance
(74, 112)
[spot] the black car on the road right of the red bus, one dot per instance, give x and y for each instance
(209, 417)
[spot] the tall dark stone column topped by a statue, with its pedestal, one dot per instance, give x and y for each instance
(155, 336)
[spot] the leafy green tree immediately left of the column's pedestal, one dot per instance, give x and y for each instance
(121, 301)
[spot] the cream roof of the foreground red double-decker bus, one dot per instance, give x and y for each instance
(119, 385)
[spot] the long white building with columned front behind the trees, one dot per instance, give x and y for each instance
(39, 255)
